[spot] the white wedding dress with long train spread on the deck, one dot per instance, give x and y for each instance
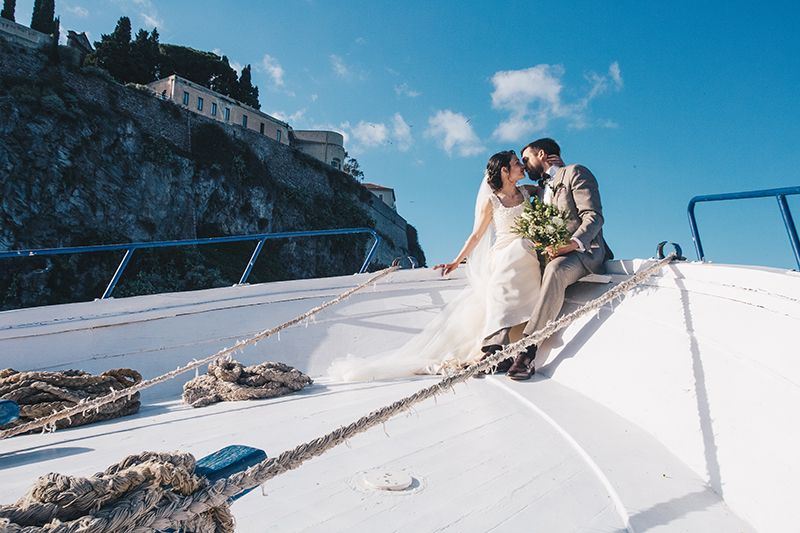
(504, 279)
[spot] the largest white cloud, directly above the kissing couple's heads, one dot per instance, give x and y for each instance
(533, 97)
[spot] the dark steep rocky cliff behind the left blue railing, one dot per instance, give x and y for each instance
(84, 160)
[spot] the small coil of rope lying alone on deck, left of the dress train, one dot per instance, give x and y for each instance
(229, 381)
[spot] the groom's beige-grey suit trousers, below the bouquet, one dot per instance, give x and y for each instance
(559, 274)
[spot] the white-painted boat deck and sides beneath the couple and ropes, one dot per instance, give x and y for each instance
(644, 418)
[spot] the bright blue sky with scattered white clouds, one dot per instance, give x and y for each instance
(661, 100)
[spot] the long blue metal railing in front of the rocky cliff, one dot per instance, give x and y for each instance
(131, 247)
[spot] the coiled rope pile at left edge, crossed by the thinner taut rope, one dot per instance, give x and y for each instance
(42, 393)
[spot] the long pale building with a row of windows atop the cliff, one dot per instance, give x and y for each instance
(206, 102)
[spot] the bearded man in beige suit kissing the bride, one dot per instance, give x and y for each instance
(573, 190)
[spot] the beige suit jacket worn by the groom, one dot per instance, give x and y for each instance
(576, 193)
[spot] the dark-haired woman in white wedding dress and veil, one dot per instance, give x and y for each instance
(504, 277)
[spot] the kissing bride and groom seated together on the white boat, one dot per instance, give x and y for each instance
(510, 283)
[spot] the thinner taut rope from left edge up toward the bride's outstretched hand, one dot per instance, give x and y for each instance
(83, 406)
